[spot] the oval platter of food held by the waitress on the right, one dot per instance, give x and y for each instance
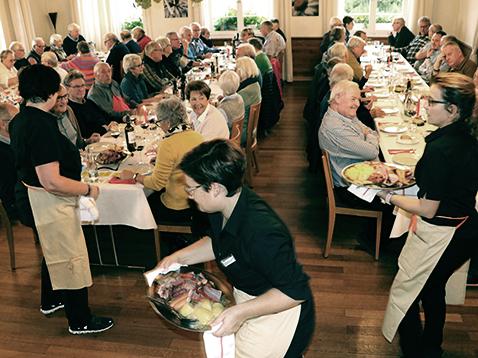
(378, 175)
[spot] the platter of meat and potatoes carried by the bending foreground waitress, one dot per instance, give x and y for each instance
(190, 298)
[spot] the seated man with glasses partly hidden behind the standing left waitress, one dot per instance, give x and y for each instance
(67, 122)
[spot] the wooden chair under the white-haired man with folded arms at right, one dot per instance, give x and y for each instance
(342, 210)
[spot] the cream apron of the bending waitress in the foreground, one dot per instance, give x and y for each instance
(267, 336)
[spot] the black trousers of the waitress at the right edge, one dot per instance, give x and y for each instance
(418, 341)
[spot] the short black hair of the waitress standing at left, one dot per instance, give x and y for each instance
(37, 83)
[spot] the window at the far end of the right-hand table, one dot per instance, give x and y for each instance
(373, 16)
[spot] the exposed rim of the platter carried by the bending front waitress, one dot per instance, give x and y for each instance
(163, 309)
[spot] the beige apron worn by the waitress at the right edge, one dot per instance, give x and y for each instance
(423, 249)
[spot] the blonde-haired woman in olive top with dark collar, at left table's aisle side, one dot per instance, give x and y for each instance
(249, 88)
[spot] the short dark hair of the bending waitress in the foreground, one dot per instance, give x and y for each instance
(216, 161)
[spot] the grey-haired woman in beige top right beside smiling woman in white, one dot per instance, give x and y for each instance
(232, 104)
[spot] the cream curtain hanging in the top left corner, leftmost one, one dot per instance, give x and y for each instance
(22, 21)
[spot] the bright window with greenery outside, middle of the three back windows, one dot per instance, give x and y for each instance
(226, 17)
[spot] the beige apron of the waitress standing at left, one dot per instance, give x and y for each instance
(59, 229)
